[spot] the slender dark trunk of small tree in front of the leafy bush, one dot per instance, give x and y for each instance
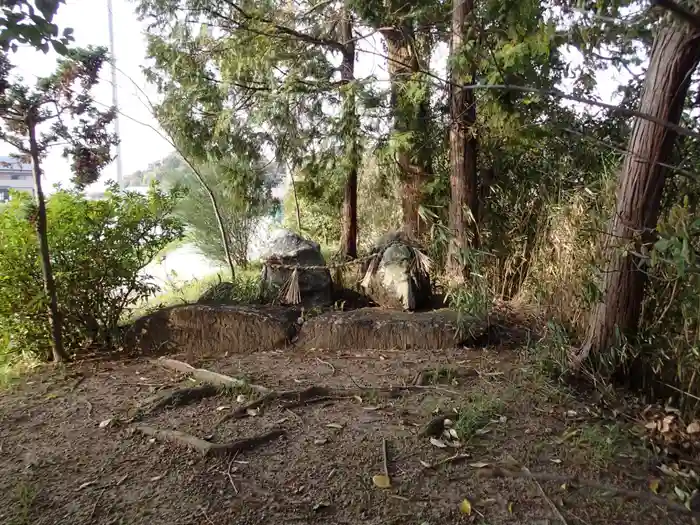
(59, 353)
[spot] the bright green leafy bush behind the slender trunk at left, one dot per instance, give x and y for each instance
(98, 248)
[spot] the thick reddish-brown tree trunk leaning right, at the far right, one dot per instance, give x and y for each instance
(674, 56)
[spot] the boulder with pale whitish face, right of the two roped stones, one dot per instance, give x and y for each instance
(397, 276)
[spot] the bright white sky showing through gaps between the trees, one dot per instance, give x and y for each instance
(141, 145)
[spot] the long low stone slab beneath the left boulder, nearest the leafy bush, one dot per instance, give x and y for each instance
(211, 329)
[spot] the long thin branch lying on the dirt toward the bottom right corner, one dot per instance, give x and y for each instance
(498, 472)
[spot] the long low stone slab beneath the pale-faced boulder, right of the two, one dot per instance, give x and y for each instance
(380, 329)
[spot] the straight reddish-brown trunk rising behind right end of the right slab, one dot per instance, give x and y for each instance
(464, 199)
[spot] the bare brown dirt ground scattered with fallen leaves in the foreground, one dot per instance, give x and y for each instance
(59, 465)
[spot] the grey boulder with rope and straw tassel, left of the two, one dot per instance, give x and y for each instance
(286, 251)
